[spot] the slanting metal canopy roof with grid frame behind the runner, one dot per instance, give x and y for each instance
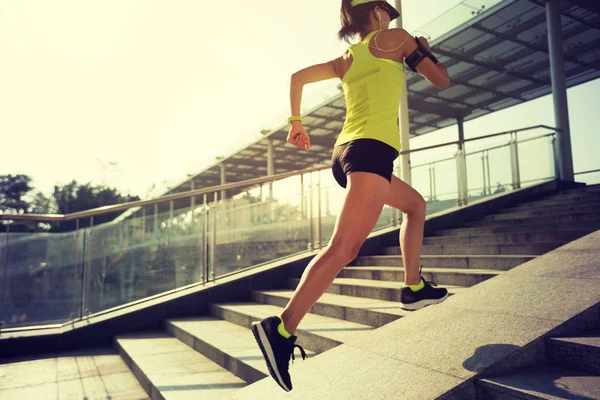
(496, 60)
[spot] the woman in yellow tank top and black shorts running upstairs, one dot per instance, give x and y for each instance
(371, 73)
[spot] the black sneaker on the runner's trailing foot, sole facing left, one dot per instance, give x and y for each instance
(276, 349)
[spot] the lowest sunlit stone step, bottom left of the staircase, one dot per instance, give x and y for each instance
(169, 369)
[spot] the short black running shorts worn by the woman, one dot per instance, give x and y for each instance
(362, 155)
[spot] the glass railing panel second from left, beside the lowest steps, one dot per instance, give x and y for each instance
(152, 251)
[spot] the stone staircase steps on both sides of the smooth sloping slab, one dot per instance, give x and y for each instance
(212, 356)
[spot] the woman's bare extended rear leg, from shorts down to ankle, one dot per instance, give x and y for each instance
(365, 197)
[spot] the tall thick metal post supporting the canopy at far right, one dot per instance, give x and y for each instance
(564, 159)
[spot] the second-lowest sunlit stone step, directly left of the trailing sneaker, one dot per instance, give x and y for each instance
(231, 346)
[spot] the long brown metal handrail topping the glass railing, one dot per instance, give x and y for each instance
(228, 186)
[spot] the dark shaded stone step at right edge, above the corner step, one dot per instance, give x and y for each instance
(581, 353)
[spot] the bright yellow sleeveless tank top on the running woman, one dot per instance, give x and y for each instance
(372, 88)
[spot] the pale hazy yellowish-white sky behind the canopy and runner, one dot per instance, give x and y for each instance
(131, 93)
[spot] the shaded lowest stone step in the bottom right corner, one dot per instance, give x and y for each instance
(545, 382)
